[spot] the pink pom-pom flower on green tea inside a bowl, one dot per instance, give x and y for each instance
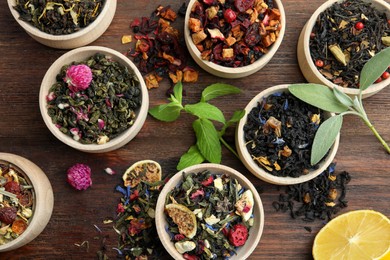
(78, 77)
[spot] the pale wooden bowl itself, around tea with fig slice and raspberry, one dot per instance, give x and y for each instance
(254, 233)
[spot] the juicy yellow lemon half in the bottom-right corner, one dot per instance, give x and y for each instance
(359, 234)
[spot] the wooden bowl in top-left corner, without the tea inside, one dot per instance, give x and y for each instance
(76, 39)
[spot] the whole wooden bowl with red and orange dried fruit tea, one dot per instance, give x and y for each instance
(233, 39)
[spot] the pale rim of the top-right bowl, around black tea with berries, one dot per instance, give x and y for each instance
(307, 29)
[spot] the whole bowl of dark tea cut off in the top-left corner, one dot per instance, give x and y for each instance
(63, 24)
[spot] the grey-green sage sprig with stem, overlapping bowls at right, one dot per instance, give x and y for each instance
(340, 103)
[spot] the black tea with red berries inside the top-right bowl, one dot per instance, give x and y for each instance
(345, 37)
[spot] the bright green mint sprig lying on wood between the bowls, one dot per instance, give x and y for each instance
(208, 139)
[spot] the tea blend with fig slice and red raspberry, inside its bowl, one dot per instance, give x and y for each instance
(209, 215)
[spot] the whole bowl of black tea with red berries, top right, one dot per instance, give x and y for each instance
(339, 39)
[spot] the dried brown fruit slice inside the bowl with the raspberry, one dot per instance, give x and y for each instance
(184, 218)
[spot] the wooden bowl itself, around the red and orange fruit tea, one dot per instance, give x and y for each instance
(230, 72)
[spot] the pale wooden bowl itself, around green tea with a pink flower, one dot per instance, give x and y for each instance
(81, 54)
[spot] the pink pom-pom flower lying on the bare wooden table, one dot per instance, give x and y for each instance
(79, 176)
